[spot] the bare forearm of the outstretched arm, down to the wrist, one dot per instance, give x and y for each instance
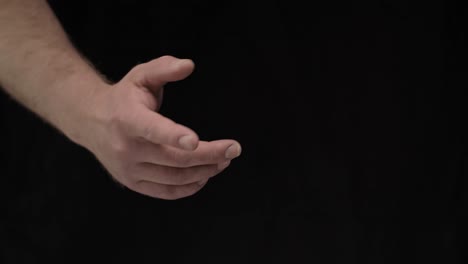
(40, 68)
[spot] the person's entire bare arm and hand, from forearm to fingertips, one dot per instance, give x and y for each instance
(119, 123)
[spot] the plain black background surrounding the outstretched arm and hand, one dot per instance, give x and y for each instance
(350, 114)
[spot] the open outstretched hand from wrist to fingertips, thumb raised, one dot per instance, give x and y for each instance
(145, 151)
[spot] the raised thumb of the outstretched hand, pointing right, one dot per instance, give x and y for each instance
(156, 73)
